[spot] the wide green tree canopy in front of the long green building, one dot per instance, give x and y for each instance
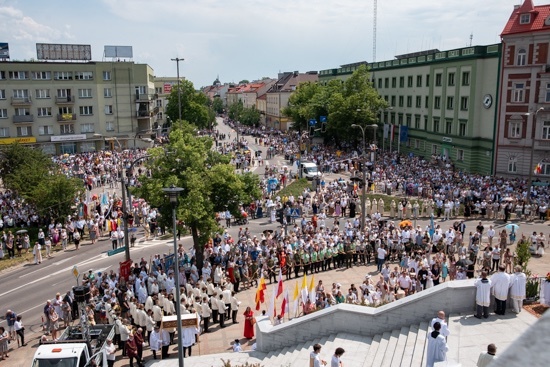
(353, 102)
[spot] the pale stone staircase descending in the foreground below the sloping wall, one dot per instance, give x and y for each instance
(404, 347)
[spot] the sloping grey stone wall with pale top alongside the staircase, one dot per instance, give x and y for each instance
(451, 297)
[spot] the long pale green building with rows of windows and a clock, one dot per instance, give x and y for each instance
(444, 98)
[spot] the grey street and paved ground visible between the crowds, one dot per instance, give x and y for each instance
(26, 288)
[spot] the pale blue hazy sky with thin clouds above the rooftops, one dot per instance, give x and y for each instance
(249, 39)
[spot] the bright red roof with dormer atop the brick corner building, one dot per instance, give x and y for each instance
(539, 14)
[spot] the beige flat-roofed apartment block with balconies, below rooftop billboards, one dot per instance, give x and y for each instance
(69, 107)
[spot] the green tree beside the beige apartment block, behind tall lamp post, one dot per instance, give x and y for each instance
(194, 105)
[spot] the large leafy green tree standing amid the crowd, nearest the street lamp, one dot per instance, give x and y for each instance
(210, 183)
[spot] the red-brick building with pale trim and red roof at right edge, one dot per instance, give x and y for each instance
(523, 139)
